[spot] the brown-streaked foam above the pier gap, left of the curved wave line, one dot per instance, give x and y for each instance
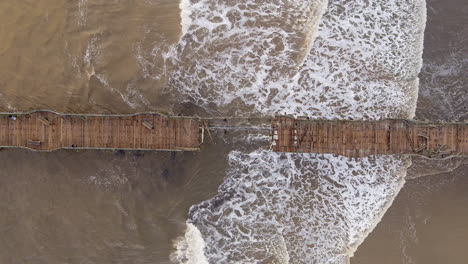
(231, 49)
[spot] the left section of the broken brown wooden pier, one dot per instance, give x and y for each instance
(46, 131)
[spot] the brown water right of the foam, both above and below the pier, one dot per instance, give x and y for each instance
(427, 222)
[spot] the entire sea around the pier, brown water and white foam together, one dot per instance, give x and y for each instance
(235, 202)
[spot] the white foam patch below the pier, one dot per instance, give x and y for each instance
(319, 207)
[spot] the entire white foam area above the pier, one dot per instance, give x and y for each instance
(364, 63)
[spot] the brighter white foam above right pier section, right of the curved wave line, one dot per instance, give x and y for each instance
(362, 65)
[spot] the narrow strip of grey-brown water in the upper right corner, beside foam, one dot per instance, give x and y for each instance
(444, 93)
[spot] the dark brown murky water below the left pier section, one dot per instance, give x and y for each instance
(98, 206)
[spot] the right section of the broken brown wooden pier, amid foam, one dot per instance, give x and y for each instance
(364, 138)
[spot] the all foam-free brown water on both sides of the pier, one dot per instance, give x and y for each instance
(129, 207)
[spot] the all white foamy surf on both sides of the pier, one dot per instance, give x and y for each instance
(325, 60)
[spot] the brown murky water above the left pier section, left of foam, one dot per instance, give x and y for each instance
(85, 55)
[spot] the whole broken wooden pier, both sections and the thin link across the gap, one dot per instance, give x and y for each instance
(47, 131)
